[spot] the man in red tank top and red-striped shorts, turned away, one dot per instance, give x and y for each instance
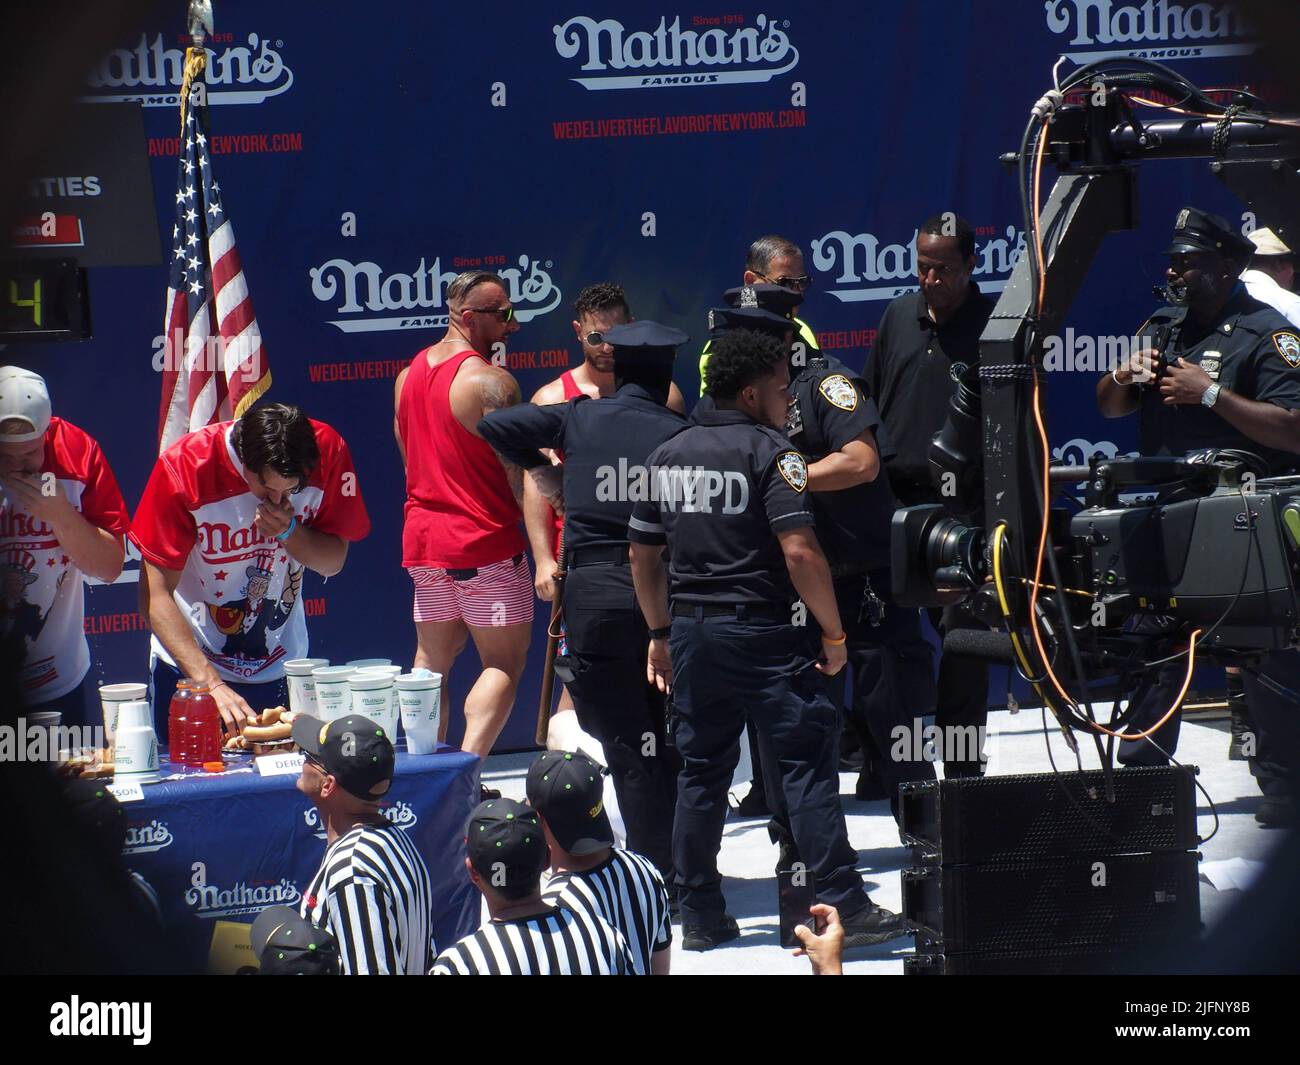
(461, 540)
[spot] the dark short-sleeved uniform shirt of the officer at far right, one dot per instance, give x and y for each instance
(1253, 350)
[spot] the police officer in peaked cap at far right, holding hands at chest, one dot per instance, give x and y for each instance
(1217, 370)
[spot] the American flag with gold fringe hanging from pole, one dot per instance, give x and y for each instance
(210, 374)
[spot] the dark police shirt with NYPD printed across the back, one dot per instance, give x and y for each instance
(721, 493)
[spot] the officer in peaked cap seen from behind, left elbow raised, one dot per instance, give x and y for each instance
(606, 444)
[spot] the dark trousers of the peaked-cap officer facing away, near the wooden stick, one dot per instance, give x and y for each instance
(608, 642)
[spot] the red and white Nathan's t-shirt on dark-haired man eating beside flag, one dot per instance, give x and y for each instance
(241, 591)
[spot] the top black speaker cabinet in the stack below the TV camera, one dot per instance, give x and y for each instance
(1048, 816)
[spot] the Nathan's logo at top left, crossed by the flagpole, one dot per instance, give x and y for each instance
(151, 73)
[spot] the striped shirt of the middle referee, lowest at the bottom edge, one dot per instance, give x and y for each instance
(557, 943)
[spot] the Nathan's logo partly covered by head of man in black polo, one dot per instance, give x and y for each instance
(872, 270)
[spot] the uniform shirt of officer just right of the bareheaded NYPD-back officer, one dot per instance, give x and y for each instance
(829, 409)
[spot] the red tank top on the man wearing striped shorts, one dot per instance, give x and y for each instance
(460, 509)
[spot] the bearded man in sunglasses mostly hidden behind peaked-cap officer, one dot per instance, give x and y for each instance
(599, 309)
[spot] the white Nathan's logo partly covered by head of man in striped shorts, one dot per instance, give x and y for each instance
(369, 292)
